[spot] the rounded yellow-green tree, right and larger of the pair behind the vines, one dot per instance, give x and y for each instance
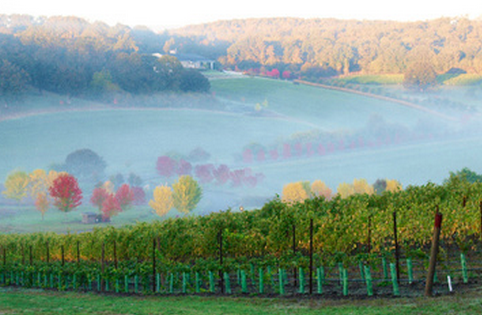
(186, 194)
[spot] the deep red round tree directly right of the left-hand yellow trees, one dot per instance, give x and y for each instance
(66, 193)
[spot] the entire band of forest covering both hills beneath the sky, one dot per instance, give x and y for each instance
(71, 56)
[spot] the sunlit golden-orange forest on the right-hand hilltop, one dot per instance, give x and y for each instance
(327, 47)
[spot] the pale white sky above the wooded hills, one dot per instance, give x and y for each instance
(160, 15)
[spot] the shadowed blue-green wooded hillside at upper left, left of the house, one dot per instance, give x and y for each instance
(70, 56)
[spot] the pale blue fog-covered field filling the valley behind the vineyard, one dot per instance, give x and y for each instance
(280, 131)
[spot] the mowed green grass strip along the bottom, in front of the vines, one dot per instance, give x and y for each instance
(16, 301)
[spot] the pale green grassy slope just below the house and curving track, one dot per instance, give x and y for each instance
(326, 109)
